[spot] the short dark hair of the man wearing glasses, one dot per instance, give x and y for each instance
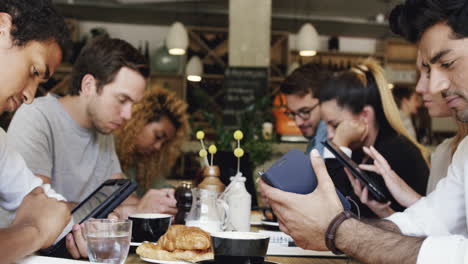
(304, 80)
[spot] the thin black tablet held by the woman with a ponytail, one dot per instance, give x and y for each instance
(373, 188)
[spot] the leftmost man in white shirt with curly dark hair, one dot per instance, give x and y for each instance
(30, 51)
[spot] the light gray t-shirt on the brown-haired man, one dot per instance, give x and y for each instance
(77, 160)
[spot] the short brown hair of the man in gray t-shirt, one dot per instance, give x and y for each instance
(103, 58)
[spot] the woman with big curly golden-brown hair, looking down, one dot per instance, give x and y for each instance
(149, 144)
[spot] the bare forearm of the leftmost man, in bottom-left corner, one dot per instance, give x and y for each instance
(17, 242)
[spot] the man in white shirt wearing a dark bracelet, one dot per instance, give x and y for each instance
(435, 228)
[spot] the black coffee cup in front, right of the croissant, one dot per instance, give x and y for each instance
(239, 247)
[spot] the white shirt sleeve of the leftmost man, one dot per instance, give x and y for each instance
(16, 180)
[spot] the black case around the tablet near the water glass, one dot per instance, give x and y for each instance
(124, 189)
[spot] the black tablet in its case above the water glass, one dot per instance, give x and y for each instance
(97, 205)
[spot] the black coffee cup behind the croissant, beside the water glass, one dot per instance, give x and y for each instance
(149, 227)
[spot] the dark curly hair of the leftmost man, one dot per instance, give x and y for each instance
(36, 20)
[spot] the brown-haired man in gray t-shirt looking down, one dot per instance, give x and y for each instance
(67, 141)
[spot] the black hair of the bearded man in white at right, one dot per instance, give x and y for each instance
(412, 18)
